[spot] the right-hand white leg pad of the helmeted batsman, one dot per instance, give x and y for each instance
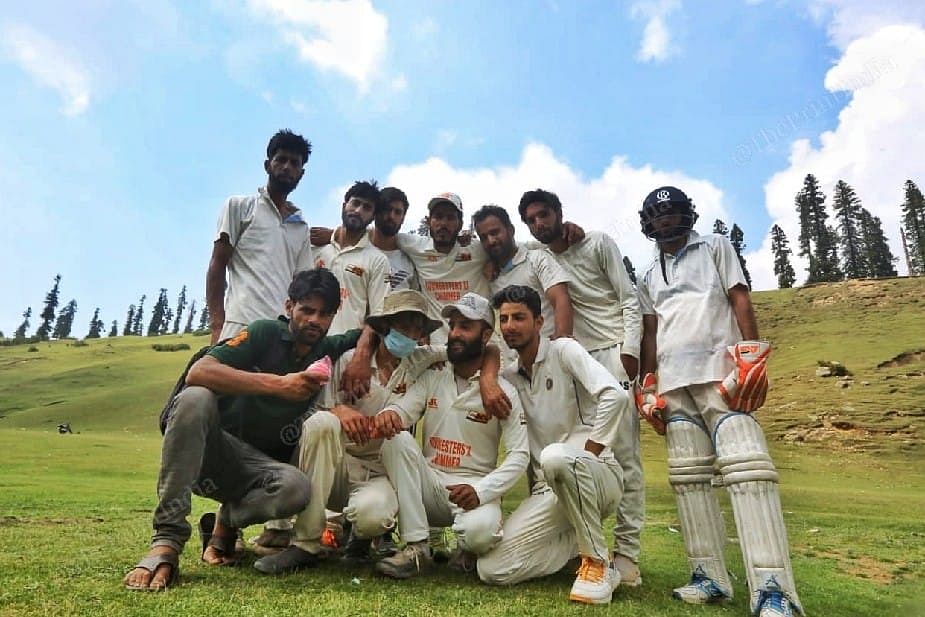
(751, 479)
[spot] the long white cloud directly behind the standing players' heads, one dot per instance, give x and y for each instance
(609, 202)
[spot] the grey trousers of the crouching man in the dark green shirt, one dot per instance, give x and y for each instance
(197, 456)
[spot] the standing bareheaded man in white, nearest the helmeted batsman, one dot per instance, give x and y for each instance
(608, 324)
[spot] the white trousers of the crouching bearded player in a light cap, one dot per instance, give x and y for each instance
(423, 500)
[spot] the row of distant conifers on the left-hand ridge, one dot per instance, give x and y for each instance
(55, 323)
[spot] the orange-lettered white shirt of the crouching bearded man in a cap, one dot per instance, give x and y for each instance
(460, 438)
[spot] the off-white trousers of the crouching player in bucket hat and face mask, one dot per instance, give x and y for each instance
(341, 482)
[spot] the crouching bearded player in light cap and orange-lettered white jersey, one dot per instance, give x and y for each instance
(456, 481)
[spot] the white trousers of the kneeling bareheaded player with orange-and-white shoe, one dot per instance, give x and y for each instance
(557, 521)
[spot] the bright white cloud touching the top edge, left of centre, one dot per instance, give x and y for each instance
(345, 36)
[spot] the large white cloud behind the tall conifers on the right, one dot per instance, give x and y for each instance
(876, 146)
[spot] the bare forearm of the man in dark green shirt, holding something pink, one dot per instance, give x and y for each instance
(209, 373)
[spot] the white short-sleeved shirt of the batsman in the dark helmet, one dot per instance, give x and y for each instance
(695, 319)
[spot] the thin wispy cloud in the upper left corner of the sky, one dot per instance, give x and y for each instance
(50, 65)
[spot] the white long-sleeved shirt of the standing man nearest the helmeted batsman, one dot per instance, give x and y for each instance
(603, 298)
